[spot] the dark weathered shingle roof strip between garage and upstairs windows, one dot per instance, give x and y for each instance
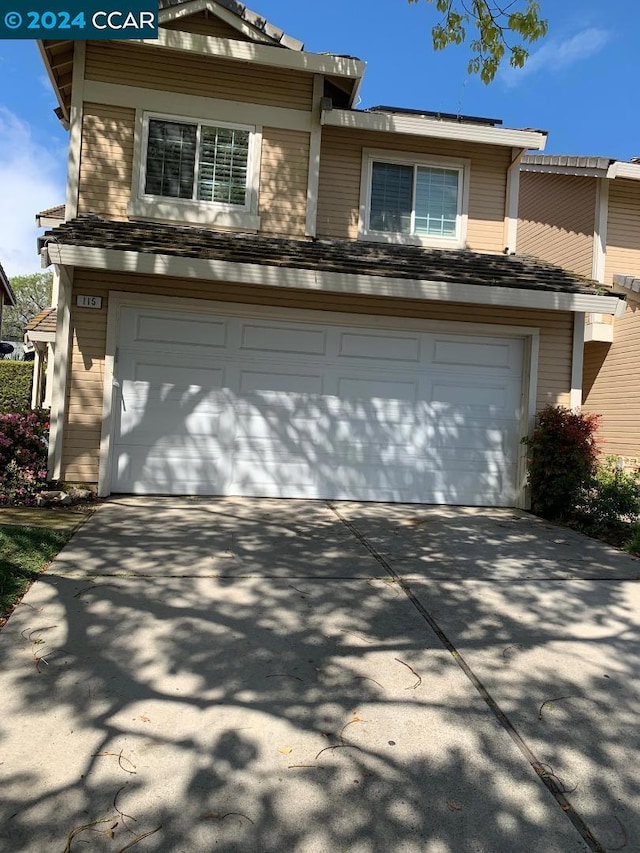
(341, 256)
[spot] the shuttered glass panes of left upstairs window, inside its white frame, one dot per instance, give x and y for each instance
(201, 162)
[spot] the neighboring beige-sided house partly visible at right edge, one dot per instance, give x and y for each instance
(584, 213)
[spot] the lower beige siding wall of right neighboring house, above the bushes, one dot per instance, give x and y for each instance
(612, 385)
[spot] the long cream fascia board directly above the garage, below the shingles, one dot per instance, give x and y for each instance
(147, 263)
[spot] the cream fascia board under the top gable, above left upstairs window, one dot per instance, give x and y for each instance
(261, 54)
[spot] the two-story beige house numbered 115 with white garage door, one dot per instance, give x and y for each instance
(262, 290)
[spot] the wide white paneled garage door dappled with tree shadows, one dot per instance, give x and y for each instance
(264, 406)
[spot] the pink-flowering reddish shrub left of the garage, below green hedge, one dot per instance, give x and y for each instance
(24, 440)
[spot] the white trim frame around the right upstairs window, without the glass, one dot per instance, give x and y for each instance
(462, 165)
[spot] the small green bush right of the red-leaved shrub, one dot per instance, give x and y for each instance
(613, 499)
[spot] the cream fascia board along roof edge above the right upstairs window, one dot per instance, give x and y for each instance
(417, 126)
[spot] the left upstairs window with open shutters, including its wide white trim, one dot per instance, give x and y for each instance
(197, 171)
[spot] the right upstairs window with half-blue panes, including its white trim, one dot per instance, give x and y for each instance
(410, 200)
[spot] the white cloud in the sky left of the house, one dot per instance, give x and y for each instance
(31, 179)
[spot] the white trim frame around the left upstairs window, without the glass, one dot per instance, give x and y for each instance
(193, 211)
